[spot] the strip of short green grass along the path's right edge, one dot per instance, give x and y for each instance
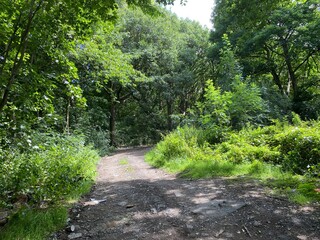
(297, 188)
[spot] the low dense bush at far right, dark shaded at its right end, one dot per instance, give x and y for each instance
(294, 147)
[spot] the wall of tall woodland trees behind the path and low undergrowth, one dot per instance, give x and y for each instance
(126, 77)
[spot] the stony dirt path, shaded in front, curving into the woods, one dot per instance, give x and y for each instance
(131, 200)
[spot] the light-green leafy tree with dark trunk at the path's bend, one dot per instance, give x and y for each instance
(106, 71)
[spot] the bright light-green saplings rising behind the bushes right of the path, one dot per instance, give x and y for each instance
(221, 111)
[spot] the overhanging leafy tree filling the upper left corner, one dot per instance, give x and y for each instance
(37, 76)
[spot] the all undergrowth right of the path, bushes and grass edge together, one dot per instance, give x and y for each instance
(284, 157)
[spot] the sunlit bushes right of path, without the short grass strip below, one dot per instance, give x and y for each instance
(294, 148)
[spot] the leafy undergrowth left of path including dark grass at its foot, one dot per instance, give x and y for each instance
(39, 184)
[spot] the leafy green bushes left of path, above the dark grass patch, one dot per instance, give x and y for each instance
(56, 166)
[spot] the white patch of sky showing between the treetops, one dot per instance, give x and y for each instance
(199, 10)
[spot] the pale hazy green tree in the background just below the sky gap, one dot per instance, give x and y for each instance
(166, 50)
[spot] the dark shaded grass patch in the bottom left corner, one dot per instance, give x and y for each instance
(34, 224)
